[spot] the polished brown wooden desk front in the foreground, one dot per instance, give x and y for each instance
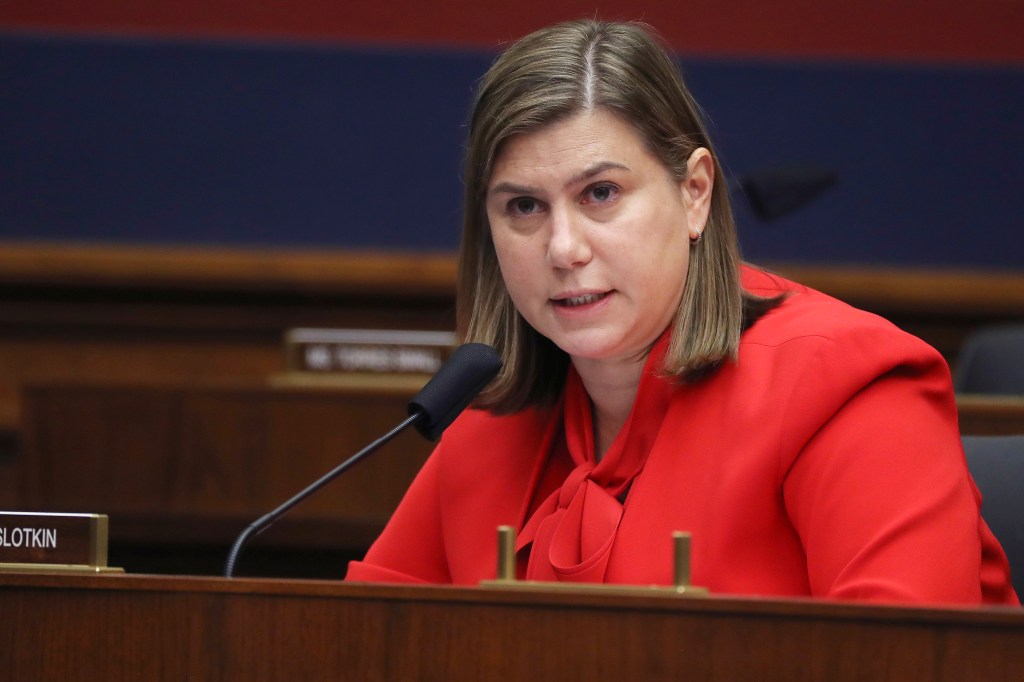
(147, 628)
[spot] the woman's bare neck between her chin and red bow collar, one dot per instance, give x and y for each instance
(613, 391)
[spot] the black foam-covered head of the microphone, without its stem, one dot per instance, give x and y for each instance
(472, 367)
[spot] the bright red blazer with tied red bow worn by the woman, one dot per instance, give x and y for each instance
(826, 462)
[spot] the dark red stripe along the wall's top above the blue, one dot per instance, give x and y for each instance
(988, 32)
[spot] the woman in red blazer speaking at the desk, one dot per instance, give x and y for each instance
(653, 385)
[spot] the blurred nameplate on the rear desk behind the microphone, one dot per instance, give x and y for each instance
(367, 352)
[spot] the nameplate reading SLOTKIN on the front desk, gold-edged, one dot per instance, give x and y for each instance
(41, 542)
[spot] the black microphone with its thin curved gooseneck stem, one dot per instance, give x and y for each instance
(472, 367)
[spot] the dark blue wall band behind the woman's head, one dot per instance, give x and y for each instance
(163, 142)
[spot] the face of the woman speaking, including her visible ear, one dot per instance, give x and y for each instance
(592, 234)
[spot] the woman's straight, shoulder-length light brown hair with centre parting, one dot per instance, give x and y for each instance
(549, 76)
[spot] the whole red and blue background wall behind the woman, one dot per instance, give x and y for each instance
(340, 124)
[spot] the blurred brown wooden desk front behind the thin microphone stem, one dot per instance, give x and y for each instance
(195, 464)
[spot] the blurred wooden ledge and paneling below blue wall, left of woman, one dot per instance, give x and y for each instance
(188, 315)
